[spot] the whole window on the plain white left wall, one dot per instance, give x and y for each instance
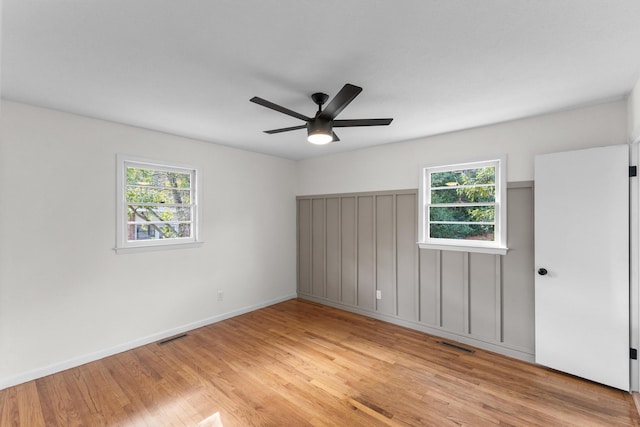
(157, 205)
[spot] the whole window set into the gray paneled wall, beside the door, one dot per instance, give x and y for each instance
(463, 207)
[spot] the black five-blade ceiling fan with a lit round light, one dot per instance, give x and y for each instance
(320, 127)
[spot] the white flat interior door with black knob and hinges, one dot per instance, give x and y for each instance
(582, 244)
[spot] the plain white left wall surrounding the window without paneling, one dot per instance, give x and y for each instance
(66, 297)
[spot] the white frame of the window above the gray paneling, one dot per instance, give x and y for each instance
(499, 244)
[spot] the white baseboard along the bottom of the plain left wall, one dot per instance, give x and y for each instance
(81, 360)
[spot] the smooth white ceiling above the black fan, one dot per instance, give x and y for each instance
(190, 67)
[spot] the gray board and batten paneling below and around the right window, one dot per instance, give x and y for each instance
(352, 245)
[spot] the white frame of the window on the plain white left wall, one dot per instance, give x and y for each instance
(123, 245)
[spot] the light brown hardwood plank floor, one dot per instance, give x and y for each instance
(303, 364)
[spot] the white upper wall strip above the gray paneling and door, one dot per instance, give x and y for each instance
(395, 166)
